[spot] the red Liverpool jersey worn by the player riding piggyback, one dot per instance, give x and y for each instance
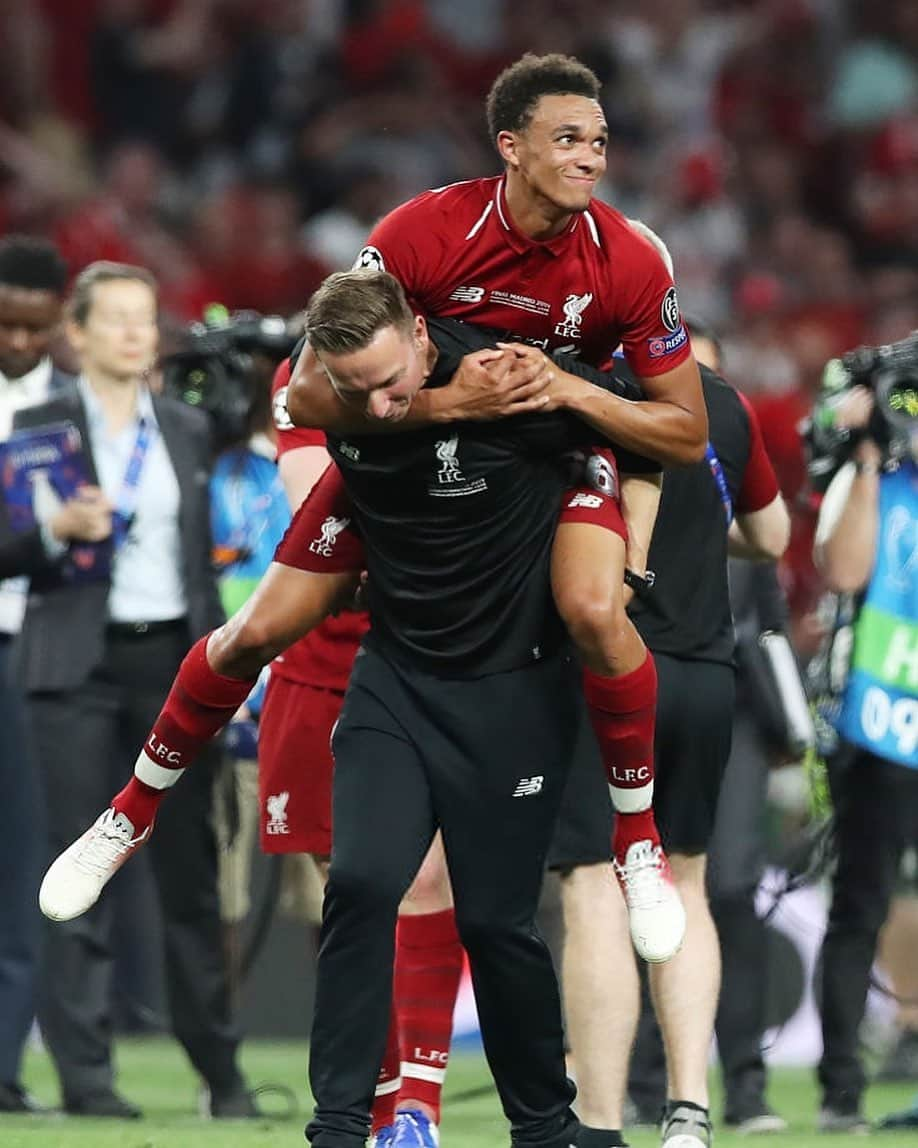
(458, 254)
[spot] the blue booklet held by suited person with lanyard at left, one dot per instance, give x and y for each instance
(42, 468)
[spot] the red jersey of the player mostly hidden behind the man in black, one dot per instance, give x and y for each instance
(325, 657)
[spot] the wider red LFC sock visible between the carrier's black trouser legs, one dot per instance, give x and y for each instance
(429, 966)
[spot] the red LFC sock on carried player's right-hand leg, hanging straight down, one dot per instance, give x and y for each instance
(623, 711)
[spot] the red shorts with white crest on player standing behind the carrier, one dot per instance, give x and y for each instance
(295, 767)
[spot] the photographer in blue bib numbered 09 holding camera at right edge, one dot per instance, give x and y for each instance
(866, 433)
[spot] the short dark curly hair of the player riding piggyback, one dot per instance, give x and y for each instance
(518, 90)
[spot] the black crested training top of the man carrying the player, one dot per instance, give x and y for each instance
(458, 524)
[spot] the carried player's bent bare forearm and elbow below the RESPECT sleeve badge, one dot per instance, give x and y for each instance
(671, 425)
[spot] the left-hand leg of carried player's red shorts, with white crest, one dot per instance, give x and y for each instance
(322, 539)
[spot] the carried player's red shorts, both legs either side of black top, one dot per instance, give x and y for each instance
(322, 539)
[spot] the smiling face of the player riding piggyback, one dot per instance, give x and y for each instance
(562, 154)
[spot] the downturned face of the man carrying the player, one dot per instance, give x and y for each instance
(384, 377)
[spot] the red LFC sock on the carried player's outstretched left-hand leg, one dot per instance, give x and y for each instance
(199, 705)
